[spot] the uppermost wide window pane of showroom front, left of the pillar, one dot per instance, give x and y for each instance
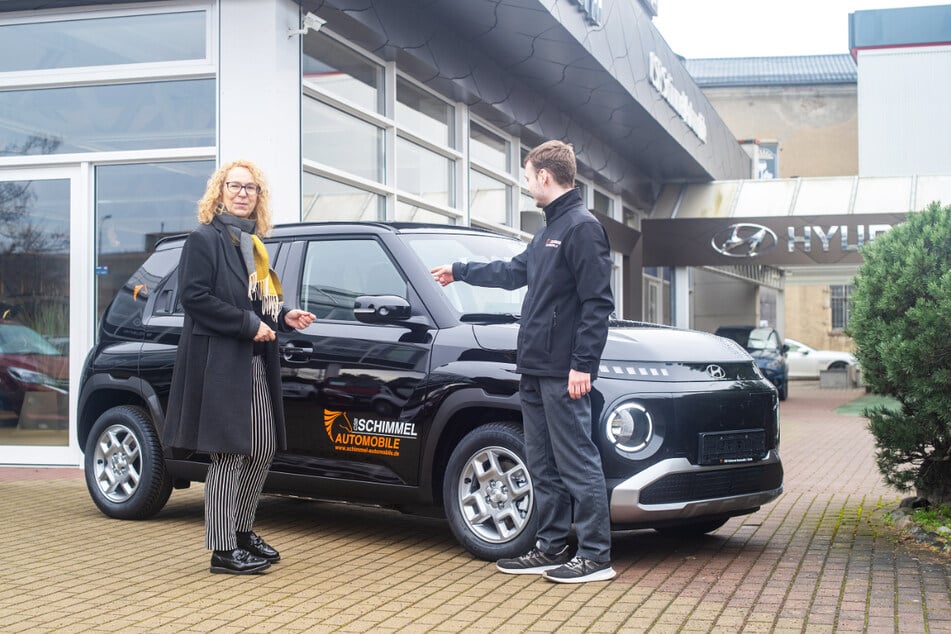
(130, 39)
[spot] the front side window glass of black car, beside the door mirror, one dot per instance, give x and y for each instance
(336, 272)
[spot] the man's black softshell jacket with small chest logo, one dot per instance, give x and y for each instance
(567, 268)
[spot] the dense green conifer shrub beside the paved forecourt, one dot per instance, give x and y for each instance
(900, 322)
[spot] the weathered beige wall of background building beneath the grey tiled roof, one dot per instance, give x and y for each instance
(816, 126)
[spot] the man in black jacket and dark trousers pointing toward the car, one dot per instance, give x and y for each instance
(564, 325)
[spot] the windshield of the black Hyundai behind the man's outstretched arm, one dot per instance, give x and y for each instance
(442, 248)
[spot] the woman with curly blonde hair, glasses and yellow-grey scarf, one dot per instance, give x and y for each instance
(225, 397)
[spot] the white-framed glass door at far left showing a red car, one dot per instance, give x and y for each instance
(43, 335)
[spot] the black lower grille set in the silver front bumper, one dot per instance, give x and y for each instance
(706, 485)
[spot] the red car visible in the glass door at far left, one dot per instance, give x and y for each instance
(34, 379)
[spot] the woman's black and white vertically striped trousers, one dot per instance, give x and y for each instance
(234, 482)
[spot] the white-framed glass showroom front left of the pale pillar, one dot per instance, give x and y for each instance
(129, 104)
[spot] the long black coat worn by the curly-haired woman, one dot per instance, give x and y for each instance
(209, 406)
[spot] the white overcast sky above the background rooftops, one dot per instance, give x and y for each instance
(763, 28)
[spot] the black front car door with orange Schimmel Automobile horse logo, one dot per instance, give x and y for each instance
(349, 387)
